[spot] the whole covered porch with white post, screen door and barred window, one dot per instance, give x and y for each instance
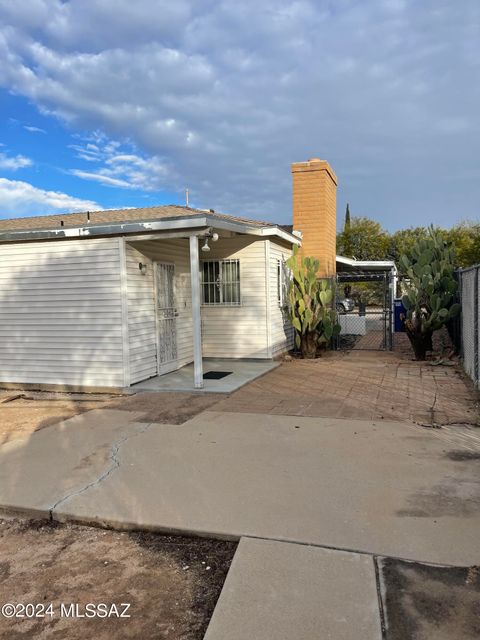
(178, 327)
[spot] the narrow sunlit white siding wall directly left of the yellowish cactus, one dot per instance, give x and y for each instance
(281, 329)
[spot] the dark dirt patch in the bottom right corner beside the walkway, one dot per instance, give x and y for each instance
(425, 602)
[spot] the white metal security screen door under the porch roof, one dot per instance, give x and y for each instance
(166, 317)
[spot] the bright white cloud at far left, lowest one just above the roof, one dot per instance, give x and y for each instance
(18, 198)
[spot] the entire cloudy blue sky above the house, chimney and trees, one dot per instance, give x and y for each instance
(112, 104)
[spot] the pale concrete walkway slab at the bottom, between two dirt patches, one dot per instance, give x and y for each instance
(296, 591)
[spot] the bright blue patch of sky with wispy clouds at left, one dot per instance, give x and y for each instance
(48, 154)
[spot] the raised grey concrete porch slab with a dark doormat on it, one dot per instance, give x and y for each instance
(240, 372)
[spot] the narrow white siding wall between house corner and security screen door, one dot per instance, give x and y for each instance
(142, 342)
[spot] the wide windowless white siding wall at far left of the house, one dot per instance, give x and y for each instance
(61, 313)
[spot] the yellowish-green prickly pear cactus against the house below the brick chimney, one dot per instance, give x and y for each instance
(310, 305)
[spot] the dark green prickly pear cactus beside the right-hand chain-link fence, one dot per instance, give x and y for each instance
(430, 290)
